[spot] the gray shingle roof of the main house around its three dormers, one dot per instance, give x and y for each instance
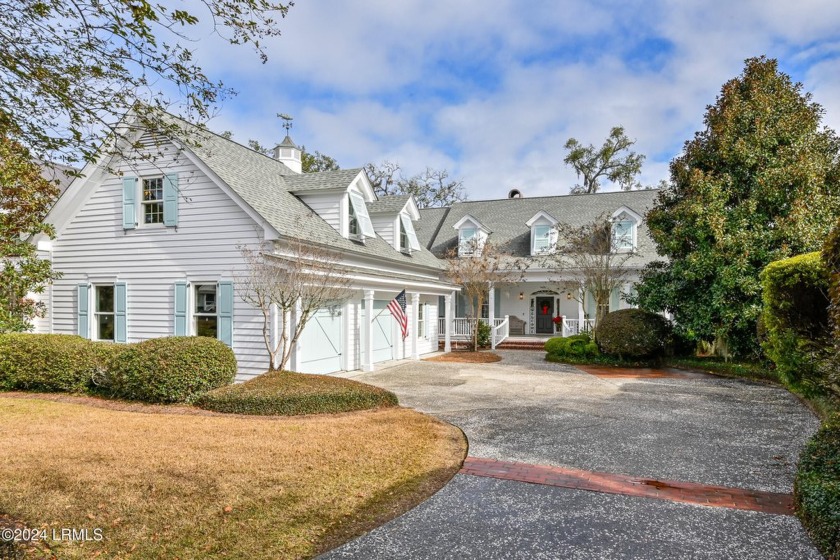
(506, 218)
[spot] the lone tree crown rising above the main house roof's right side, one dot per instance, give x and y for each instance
(614, 161)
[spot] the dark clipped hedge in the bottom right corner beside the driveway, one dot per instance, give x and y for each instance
(817, 488)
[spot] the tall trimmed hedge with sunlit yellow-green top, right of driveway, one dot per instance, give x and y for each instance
(795, 320)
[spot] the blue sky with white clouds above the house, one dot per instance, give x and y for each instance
(491, 90)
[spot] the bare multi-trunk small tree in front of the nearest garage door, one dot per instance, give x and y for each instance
(288, 289)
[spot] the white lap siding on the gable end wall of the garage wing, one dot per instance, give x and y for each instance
(205, 246)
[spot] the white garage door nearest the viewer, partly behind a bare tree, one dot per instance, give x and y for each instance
(321, 343)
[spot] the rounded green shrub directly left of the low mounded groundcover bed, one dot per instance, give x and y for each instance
(171, 369)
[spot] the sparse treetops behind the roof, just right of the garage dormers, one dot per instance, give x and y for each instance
(431, 188)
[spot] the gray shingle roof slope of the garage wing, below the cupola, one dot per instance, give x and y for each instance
(264, 184)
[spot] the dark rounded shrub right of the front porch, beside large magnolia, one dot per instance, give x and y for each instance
(633, 333)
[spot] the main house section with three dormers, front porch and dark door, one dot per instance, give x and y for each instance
(526, 228)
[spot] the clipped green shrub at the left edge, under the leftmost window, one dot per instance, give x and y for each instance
(48, 362)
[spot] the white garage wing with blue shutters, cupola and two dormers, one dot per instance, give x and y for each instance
(149, 247)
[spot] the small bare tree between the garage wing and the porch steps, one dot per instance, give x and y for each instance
(476, 268)
